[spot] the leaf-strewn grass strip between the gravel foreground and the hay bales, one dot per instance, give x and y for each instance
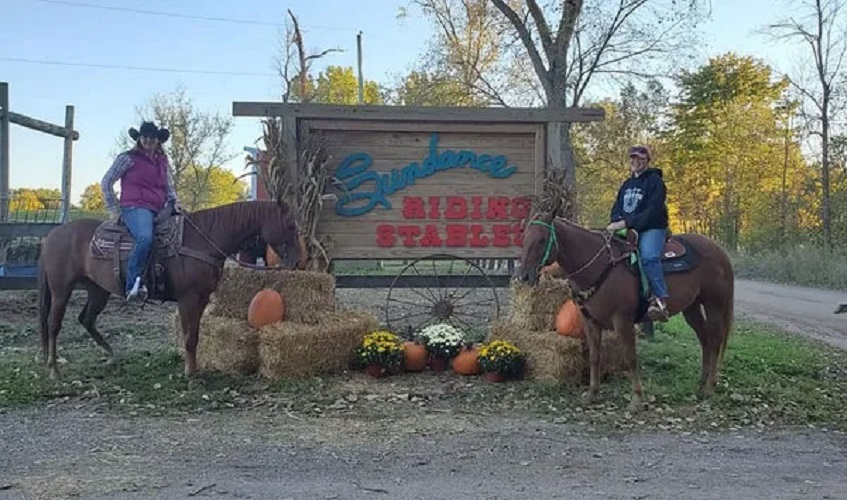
(769, 379)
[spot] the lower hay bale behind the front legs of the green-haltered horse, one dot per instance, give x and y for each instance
(558, 358)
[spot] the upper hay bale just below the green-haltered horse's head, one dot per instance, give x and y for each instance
(535, 308)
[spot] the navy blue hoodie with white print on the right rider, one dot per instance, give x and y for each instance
(641, 202)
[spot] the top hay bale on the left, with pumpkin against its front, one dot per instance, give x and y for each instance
(308, 295)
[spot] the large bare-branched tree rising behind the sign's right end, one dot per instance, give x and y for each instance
(564, 48)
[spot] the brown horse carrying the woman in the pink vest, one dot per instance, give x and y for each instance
(189, 257)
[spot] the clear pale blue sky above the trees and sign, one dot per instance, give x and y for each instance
(107, 62)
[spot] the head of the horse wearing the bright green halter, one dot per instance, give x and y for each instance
(540, 246)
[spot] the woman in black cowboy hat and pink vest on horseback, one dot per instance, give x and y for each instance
(146, 188)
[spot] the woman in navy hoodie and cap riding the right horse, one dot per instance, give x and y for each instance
(641, 205)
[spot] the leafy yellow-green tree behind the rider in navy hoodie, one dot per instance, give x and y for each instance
(728, 150)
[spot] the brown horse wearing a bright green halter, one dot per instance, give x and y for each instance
(607, 290)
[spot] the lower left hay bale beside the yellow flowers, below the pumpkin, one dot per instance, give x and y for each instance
(289, 349)
